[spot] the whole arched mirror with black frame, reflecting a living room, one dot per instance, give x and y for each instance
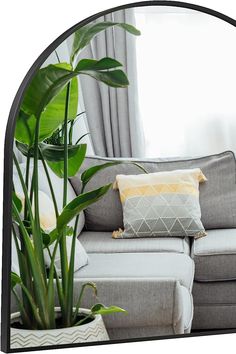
(119, 194)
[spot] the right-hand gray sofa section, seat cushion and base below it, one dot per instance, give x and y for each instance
(214, 290)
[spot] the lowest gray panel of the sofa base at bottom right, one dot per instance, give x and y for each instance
(214, 317)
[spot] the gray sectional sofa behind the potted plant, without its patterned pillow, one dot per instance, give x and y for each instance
(169, 285)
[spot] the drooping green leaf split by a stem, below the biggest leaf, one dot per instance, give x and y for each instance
(55, 159)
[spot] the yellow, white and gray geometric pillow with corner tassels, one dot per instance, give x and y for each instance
(161, 204)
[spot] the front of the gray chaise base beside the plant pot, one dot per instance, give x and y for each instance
(148, 301)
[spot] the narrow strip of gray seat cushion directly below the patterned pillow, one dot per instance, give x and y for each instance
(102, 242)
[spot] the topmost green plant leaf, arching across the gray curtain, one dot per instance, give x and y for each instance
(85, 34)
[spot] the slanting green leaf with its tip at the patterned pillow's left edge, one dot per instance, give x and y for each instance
(80, 203)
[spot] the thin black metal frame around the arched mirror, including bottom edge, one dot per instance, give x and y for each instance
(8, 169)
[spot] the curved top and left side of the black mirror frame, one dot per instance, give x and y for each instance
(10, 134)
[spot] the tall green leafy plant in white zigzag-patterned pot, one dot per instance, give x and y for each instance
(43, 132)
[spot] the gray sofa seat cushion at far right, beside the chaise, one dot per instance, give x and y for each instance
(215, 256)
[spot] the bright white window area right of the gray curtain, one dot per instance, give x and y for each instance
(186, 79)
